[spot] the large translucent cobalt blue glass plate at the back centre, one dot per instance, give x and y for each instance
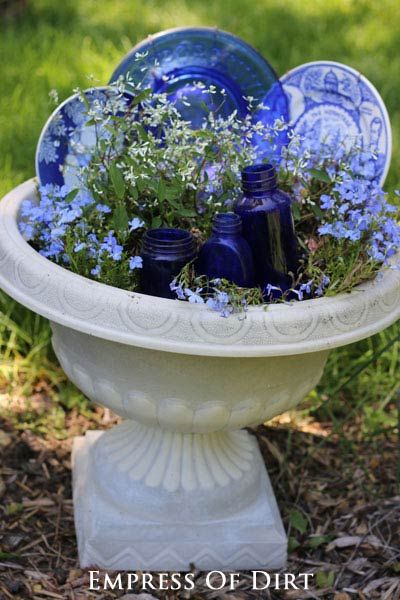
(184, 63)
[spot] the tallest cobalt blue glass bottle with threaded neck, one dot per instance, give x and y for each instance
(268, 228)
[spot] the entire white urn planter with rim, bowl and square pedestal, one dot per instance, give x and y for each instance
(179, 482)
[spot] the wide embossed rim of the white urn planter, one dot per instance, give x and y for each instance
(170, 325)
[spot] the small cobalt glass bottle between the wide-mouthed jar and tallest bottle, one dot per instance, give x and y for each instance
(226, 254)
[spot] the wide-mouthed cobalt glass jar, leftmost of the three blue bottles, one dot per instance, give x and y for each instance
(164, 252)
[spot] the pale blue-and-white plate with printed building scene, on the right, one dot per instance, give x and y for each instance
(332, 103)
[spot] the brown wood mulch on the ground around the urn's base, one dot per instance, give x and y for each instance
(337, 498)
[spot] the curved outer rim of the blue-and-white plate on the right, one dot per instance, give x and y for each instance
(362, 78)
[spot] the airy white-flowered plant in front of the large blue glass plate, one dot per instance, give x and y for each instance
(161, 157)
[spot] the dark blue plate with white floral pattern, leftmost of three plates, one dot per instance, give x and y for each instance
(66, 142)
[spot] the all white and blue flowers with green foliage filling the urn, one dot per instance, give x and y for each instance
(150, 168)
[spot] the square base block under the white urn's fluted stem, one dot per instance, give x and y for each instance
(109, 538)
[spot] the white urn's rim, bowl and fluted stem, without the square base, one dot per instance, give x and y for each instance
(185, 379)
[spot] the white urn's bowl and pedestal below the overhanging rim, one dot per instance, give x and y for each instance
(179, 483)
